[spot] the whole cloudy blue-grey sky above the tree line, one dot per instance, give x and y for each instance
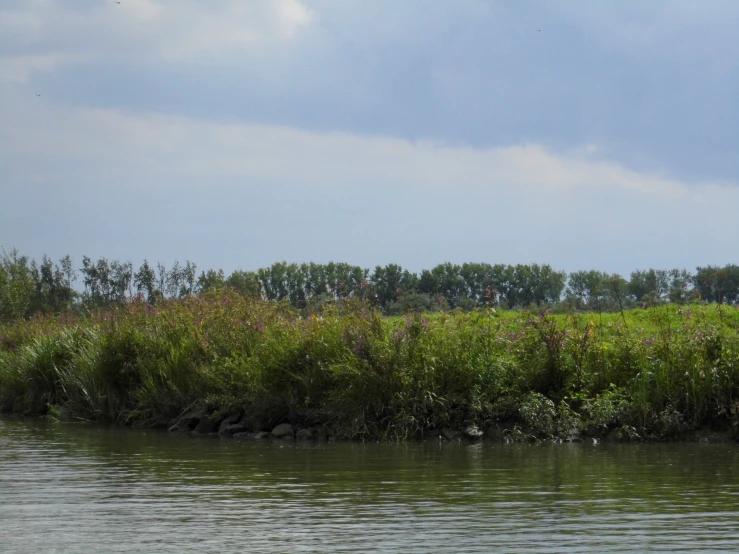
(238, 133)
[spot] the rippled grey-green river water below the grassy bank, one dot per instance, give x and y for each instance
(76, 488)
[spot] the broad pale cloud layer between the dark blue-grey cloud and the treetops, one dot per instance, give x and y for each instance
(127, 185)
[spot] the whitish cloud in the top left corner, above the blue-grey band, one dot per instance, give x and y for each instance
(40, 35)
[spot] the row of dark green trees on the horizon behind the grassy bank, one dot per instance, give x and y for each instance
(28, 287)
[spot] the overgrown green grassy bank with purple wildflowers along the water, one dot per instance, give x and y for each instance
(651, 374)
